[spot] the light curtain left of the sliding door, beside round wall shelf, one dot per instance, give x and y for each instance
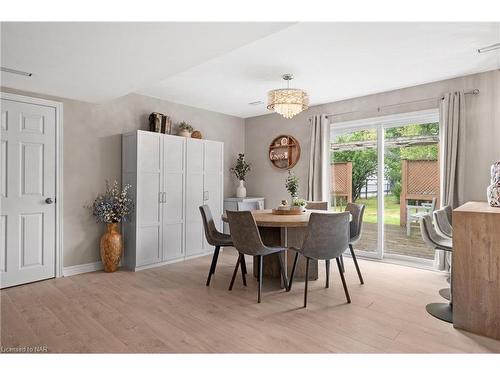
(317, 186)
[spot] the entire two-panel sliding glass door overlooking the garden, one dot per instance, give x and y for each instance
(391, 165)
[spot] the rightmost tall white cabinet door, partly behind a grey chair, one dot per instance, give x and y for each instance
(212, 184)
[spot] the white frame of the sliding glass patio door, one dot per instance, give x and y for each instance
(380, 124)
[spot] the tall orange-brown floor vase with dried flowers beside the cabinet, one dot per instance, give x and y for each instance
(112, 208)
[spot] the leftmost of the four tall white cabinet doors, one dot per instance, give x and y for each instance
(149, 186)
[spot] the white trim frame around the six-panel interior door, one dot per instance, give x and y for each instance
(58, 106)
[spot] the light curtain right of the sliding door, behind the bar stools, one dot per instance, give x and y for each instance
(452, 119)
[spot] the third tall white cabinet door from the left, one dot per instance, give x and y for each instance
(194, 197)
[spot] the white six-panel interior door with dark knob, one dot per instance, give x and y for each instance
(28, 165)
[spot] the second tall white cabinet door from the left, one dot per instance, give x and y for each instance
(173, 187)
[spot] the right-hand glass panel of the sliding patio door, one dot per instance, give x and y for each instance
(412, 178)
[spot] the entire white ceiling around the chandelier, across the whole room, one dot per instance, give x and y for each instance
(223, 67)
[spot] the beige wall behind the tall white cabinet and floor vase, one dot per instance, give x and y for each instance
(92, 154)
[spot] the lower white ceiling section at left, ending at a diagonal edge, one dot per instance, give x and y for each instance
(98, 61)
